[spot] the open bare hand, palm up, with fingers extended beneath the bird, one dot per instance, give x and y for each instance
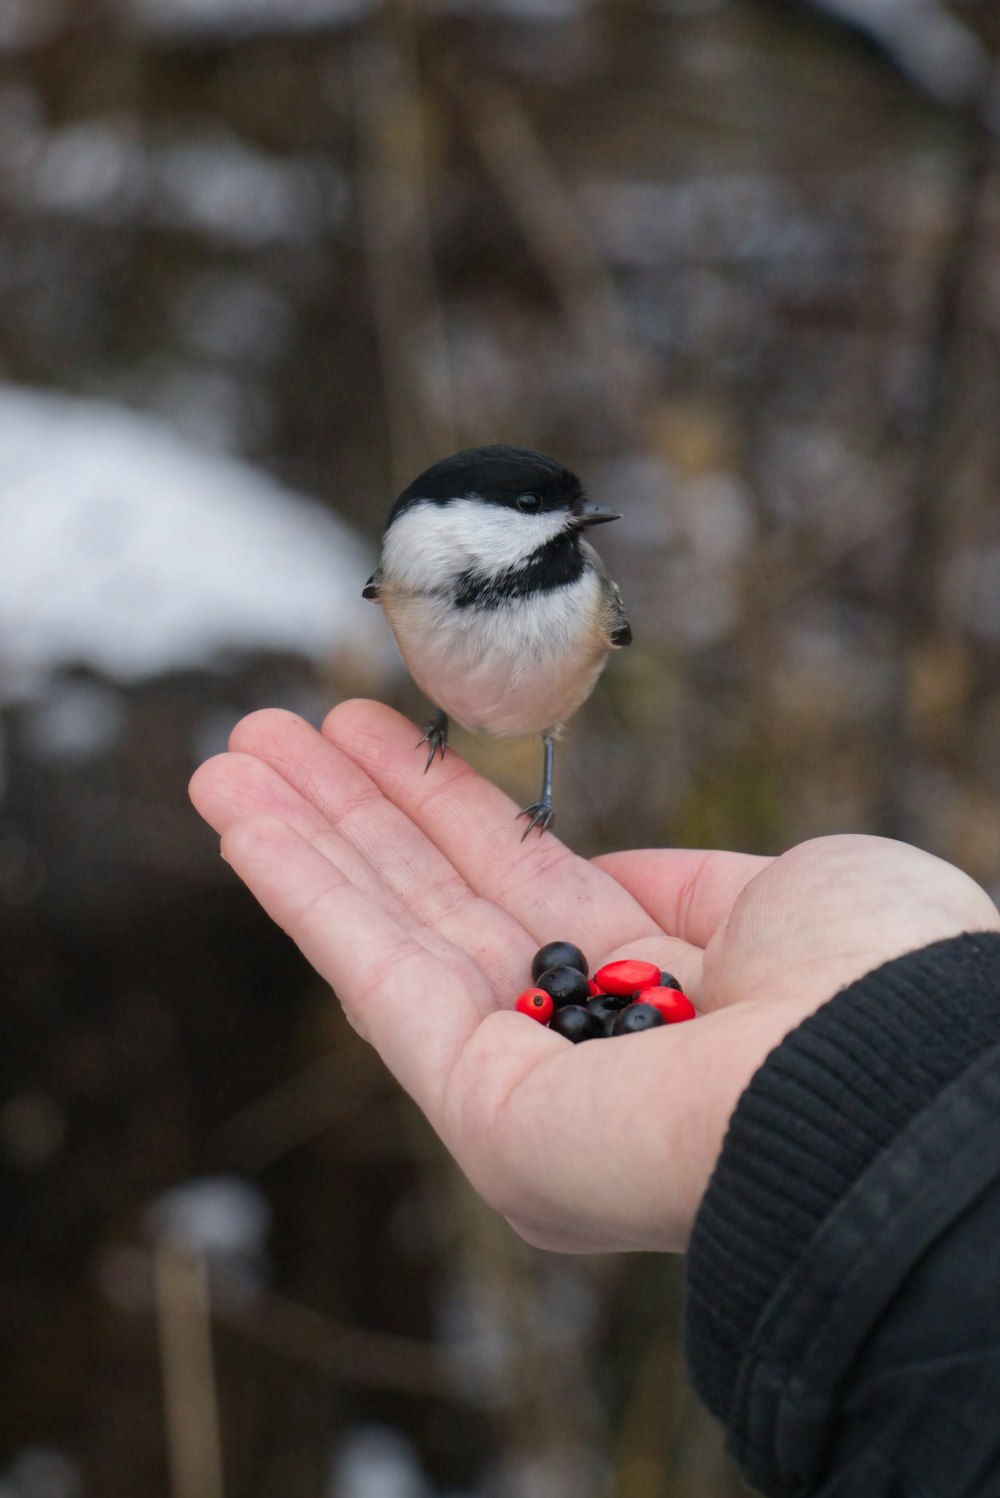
(417, 900)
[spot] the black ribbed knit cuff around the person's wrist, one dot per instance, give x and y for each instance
(824, 1105)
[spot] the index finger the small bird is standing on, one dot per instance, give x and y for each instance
(547, 888)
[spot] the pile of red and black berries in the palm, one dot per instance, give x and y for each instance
(622, 998)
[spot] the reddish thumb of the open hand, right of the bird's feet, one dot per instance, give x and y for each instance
(686, 892)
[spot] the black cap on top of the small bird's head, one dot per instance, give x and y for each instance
(499, 476)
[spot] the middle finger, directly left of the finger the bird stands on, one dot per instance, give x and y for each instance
(372, 841)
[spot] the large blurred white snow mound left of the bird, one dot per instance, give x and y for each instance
(132, 552)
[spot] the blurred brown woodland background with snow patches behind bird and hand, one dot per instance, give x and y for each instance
(737, 263)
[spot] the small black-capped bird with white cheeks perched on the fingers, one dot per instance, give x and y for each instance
(504, 613)
